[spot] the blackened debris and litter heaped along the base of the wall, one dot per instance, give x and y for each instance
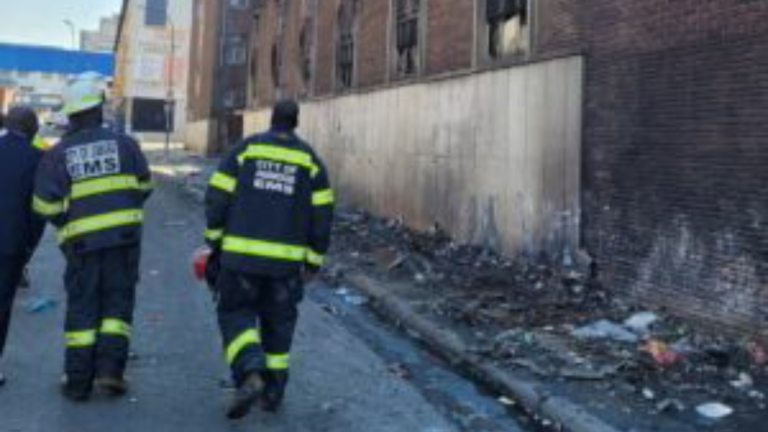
(558, 323)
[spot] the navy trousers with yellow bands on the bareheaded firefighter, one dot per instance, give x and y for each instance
(247, 301)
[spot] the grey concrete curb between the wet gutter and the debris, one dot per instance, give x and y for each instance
(529, 394)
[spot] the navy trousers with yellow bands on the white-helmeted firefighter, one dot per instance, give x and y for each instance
(101, 290)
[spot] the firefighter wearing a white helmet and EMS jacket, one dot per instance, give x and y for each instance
(92, 186)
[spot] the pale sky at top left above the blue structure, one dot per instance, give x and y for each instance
(39, 22)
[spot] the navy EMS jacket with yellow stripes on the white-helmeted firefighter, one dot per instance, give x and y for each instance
(92, 186)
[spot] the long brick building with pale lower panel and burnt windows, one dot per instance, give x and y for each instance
(633, 130)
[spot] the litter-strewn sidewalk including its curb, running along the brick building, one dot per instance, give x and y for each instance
(552, 341)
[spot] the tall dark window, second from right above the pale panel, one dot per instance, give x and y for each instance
(407, 36)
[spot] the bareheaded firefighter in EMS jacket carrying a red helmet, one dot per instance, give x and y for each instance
(269, 209)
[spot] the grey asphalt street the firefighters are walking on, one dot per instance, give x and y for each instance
(178, 374)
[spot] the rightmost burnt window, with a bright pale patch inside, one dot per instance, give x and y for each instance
(507, 22)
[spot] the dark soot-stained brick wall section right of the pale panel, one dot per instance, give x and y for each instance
(676, 149)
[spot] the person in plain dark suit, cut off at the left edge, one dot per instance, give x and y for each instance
(20, 228)
